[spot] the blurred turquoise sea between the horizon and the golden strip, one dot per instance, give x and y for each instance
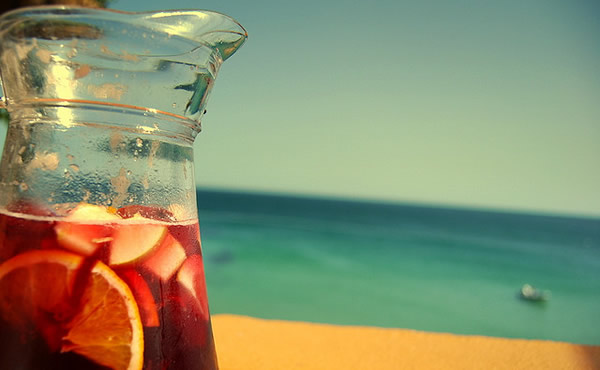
(433, 269)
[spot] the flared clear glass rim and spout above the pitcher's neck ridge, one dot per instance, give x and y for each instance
(155, 63)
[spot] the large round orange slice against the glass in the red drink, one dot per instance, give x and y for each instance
(35, 288)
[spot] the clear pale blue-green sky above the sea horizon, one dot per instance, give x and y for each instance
(469, 103)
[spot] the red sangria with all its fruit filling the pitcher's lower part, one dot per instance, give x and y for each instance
(102, 289)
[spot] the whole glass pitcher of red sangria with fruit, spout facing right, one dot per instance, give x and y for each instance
(100, 257)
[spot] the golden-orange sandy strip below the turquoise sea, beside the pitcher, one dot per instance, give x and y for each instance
(247, 343)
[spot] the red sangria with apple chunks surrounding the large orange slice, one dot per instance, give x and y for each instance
(167, 282)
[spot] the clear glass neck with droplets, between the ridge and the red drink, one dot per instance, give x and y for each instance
(57, 156)
